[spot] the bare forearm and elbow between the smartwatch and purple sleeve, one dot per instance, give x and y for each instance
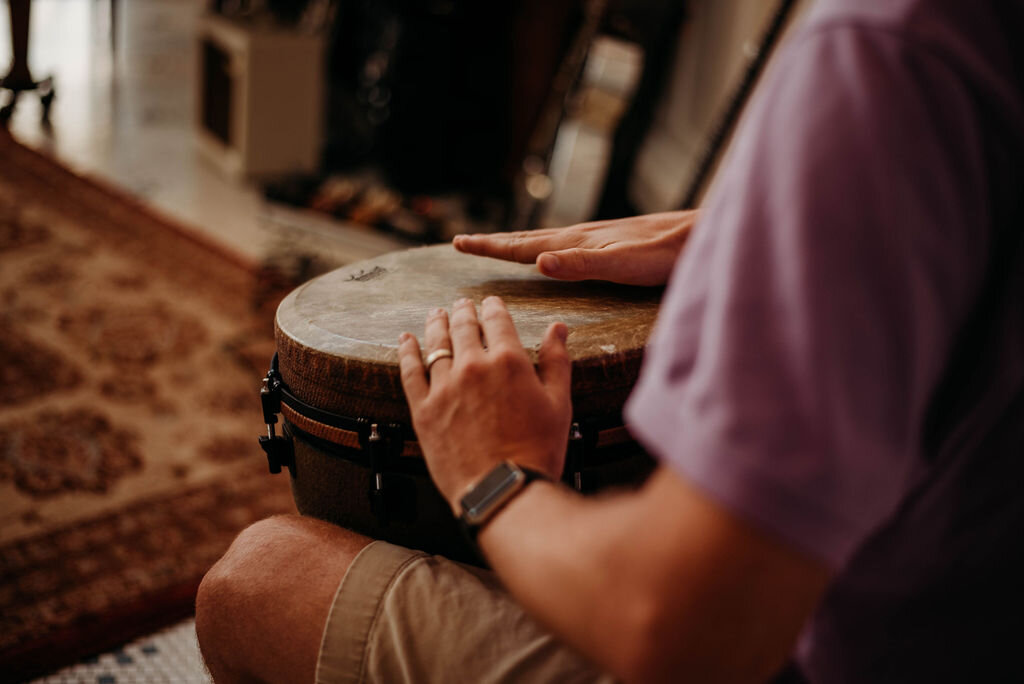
(660, 585)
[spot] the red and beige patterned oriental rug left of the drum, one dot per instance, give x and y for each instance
(132, 358)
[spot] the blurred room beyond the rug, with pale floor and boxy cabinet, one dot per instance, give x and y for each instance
(418, 120)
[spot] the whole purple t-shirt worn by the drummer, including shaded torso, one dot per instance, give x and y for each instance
(840, 356)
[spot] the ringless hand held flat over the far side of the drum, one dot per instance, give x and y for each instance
(641, 250)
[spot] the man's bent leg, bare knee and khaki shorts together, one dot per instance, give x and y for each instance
(265, 610)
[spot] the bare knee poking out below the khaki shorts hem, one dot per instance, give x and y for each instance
(261, 611)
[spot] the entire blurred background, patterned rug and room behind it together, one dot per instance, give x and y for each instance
(169, 169)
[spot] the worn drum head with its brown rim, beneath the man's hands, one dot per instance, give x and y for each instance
(338, 334)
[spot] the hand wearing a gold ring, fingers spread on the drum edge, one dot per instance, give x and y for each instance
(486, 404)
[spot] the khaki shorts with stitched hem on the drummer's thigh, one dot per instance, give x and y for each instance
(403, 616)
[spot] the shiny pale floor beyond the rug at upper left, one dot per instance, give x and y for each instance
(124, 113)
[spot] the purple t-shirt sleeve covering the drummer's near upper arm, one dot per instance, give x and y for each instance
(809, 321)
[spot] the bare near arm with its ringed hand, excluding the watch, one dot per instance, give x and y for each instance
(656, 585)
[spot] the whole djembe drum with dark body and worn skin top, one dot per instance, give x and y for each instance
(349, 441)
